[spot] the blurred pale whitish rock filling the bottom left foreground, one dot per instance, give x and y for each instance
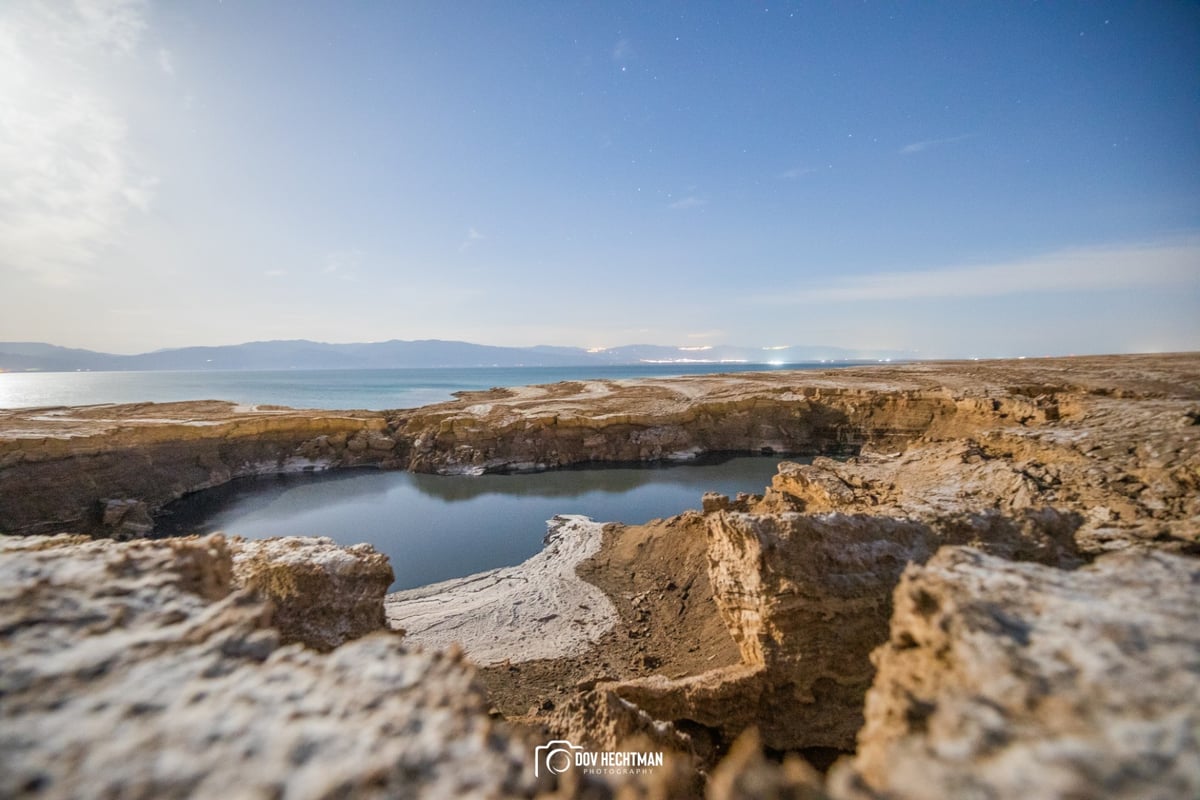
(139, 671)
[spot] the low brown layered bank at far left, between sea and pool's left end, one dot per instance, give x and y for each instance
(105, 470)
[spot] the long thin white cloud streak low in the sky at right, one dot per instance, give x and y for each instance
(1129, 267)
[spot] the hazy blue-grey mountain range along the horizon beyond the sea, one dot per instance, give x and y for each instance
(302, 354)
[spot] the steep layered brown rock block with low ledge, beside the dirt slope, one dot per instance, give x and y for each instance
(807, 599)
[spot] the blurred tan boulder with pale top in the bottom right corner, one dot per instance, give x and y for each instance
(1015, 681)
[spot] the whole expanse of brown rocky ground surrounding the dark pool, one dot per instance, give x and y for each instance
(994, 596)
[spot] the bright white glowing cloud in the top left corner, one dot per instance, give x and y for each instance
(68, 172)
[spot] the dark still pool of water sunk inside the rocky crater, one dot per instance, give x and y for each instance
(439, 527)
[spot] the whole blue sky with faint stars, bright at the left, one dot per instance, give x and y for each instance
(951, 179)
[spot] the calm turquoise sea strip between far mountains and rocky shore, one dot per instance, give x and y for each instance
(333, 389)
